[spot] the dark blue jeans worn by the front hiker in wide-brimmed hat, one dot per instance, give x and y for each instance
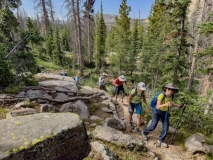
(160, 115)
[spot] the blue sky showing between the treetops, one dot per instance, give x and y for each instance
(109, 7)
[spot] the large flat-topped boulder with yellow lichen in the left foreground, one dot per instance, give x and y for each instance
(50, 136)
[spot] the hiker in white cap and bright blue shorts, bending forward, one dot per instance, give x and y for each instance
(134, 101)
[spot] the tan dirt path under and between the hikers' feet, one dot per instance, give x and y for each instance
(173, 151)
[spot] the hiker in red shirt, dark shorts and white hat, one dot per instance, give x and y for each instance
(118, 86)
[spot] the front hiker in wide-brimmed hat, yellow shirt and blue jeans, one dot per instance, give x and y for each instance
(160, 112)
